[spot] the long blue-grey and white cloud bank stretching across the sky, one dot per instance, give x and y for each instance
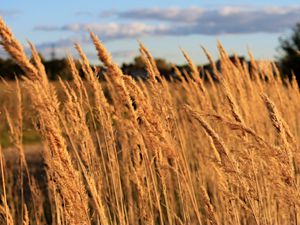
(176, 21)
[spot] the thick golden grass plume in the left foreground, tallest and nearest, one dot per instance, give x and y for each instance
(68, 180)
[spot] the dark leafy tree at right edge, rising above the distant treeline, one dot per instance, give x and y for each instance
(289, 48)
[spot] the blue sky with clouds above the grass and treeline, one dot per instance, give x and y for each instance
(164, 26)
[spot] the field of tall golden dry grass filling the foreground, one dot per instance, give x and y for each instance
(221, 150)
